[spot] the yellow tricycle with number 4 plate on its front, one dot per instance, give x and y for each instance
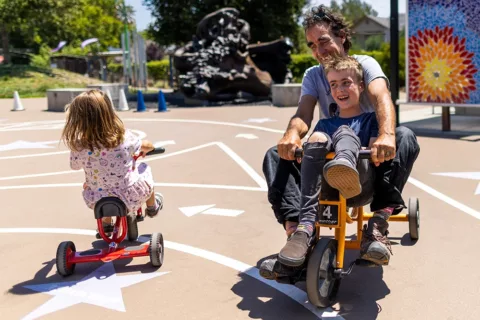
(325, 261)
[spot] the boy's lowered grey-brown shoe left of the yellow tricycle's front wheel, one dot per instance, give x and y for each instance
(294, 252)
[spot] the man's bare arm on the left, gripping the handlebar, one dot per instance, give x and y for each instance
(297, 128)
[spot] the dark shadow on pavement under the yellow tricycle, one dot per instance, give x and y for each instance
(357, 298)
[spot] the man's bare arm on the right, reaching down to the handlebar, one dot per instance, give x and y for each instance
(384, 147)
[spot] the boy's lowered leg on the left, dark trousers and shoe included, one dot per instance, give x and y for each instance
(294, 252)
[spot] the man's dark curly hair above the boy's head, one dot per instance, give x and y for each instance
(337, 23)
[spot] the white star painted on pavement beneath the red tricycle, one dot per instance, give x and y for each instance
(102, 288)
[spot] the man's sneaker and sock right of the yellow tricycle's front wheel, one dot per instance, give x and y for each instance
(375, 246)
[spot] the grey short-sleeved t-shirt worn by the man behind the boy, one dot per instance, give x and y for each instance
(315, 83)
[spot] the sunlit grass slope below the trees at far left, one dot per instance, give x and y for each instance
(31, 82)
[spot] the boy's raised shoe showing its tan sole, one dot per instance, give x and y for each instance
(343, 176)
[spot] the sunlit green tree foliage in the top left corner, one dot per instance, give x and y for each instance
(36, 23)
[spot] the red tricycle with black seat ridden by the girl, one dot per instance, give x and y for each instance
(125, 226)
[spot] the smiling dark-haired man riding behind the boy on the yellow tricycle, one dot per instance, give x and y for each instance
(393, 152)
